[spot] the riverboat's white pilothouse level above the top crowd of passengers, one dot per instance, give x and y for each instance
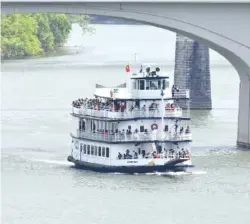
(147, 84)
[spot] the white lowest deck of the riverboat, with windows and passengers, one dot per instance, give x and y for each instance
(95, 154)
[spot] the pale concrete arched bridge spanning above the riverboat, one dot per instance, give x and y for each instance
(222, 25)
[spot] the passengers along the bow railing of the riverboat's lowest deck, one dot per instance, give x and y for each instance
(155, 154)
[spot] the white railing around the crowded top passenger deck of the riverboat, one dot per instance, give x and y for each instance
(177, 112)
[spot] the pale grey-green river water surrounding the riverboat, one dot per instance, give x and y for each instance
(38, 184)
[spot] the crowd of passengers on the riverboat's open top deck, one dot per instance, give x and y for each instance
(109, 105)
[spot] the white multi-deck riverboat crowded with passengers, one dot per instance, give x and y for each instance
(140, 126)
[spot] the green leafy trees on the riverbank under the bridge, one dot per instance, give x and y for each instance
(35, 34)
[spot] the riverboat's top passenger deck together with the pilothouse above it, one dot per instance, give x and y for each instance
(143, 96)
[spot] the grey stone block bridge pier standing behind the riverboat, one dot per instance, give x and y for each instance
(192, 71)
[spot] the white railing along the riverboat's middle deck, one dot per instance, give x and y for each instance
(119, 137)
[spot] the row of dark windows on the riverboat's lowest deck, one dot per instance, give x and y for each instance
(94, 150)
